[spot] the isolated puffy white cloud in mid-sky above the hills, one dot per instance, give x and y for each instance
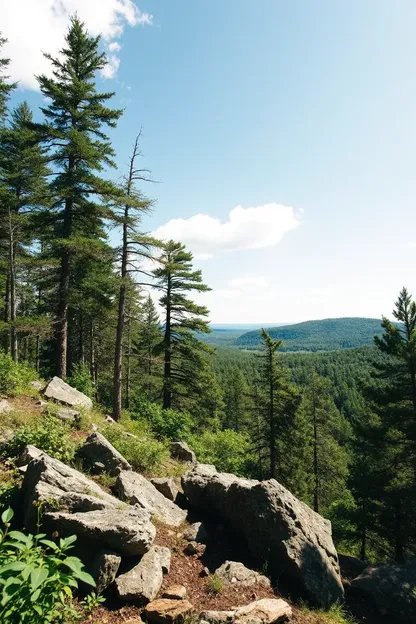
(246, 228)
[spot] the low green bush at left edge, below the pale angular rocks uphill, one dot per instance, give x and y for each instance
(49, 435)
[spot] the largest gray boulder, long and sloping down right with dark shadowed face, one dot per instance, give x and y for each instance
(277, 528)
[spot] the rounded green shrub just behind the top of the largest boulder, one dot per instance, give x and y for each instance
(228, 450)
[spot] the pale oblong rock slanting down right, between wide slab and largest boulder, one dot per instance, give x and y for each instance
(137, 490)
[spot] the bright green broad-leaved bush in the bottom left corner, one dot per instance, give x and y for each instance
(37, 577)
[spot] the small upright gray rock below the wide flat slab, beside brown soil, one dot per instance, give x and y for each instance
(142, 583)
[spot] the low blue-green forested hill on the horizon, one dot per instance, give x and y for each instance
(325, 335)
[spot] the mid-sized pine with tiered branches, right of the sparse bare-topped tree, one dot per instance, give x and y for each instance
(183, 352)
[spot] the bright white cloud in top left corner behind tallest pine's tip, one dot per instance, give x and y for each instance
(36, 26)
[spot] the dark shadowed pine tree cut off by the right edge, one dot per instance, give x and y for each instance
(391, 439)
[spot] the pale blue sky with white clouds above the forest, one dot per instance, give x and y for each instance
(301, 110)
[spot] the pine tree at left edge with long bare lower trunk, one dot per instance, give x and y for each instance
(23, 181)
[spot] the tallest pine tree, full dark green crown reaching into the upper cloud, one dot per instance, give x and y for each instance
(78, 150)
